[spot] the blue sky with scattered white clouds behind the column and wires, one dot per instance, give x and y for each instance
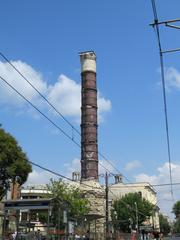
(43, 39)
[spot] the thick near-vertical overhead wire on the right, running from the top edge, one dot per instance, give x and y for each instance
(156, 27)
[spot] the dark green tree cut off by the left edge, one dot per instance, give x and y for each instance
(14, 166)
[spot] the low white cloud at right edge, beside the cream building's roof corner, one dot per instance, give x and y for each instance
(164, 193)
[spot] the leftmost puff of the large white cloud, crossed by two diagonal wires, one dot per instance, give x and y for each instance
(8, 96)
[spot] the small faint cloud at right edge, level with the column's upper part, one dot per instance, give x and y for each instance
(172, 77)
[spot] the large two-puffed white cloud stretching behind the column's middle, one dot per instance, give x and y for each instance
(65, 94)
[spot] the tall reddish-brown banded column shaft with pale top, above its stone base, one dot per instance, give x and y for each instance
(89, 147)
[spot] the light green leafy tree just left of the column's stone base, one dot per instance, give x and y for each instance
(68, 197)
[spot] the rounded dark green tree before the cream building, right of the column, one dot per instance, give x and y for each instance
(129, 209)
